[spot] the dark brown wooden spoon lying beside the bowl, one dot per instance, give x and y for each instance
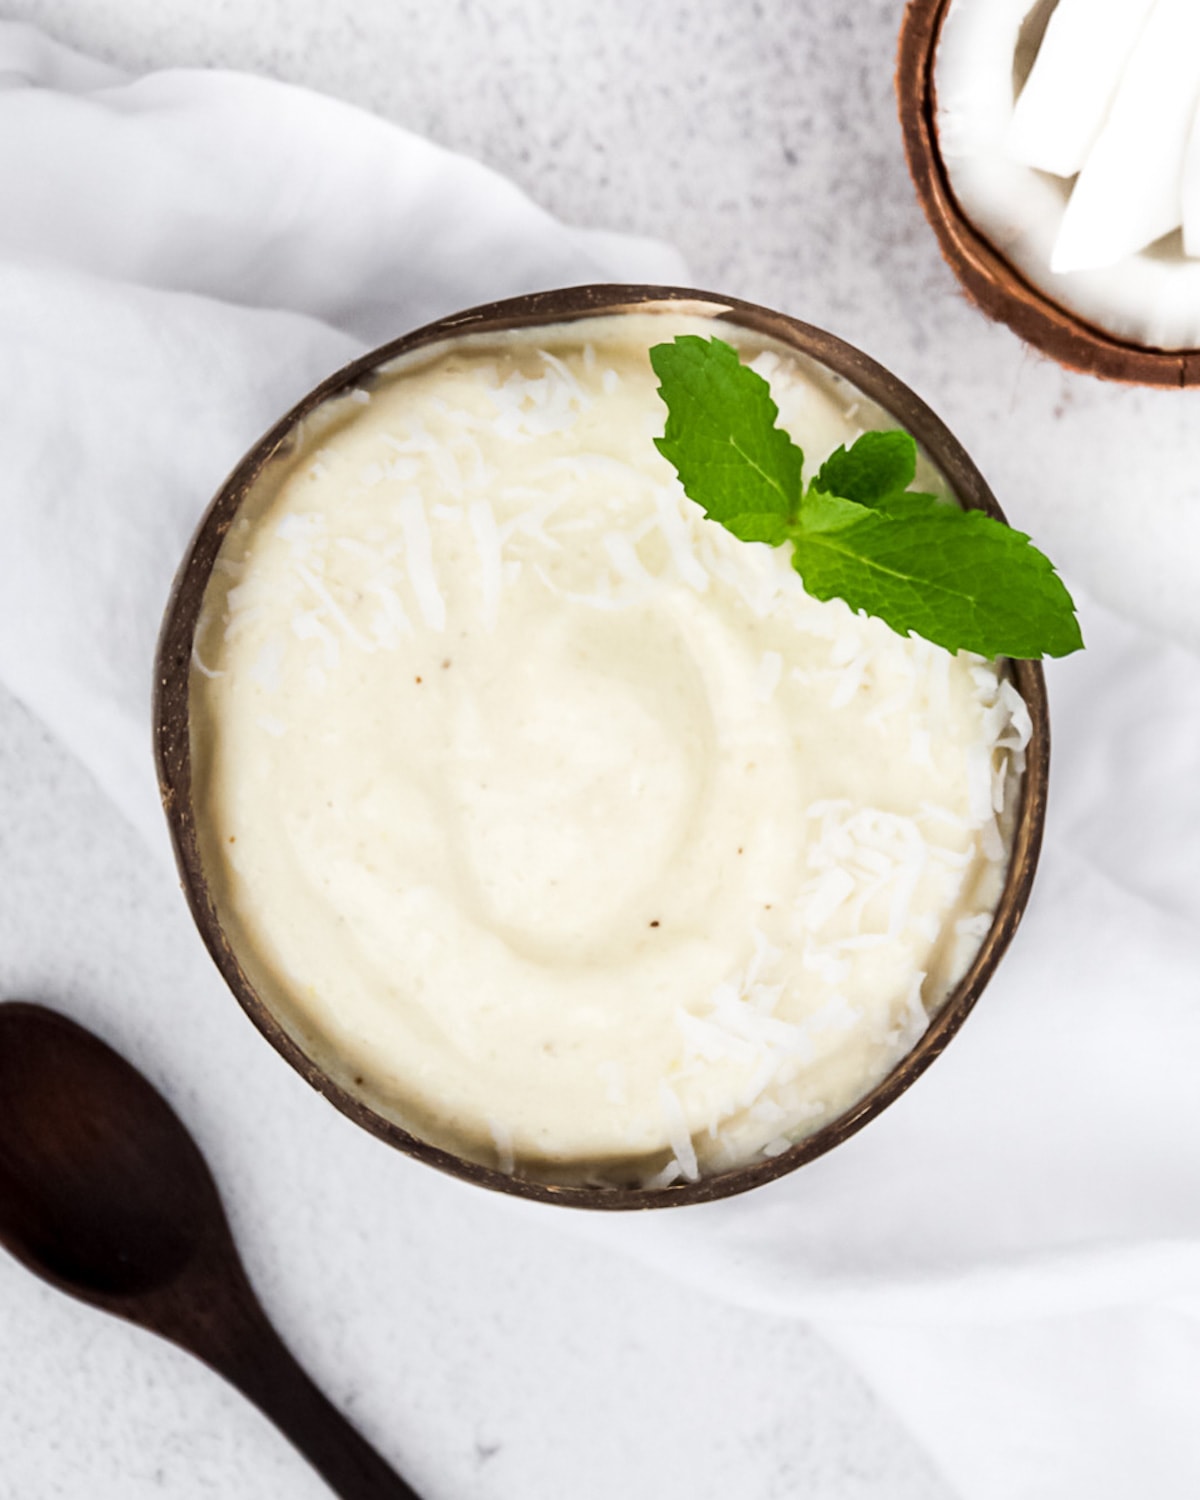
(106, 1196)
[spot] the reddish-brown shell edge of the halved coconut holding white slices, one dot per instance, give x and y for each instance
(988, 278)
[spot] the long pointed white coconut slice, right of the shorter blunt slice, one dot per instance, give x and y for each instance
(1130, 190)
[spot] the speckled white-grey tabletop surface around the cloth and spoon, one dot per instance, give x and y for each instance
(487, 1360)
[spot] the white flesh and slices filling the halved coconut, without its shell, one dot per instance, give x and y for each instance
(1147, 296)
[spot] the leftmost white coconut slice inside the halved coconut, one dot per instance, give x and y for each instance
(1078, 70)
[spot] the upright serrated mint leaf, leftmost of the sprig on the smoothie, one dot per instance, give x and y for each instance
(722, 437)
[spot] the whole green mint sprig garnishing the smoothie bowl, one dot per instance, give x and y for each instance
(859, 533)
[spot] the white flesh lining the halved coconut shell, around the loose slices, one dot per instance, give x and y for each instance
(1151, 298)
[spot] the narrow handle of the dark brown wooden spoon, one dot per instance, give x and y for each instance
(244, 1348)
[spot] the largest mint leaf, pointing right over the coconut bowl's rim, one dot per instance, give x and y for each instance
(955, 577)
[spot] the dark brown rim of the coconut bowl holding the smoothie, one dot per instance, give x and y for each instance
(173, 730)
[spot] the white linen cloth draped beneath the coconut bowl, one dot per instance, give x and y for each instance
(1013, 1252)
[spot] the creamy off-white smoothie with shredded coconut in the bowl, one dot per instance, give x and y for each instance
(556, 823)
